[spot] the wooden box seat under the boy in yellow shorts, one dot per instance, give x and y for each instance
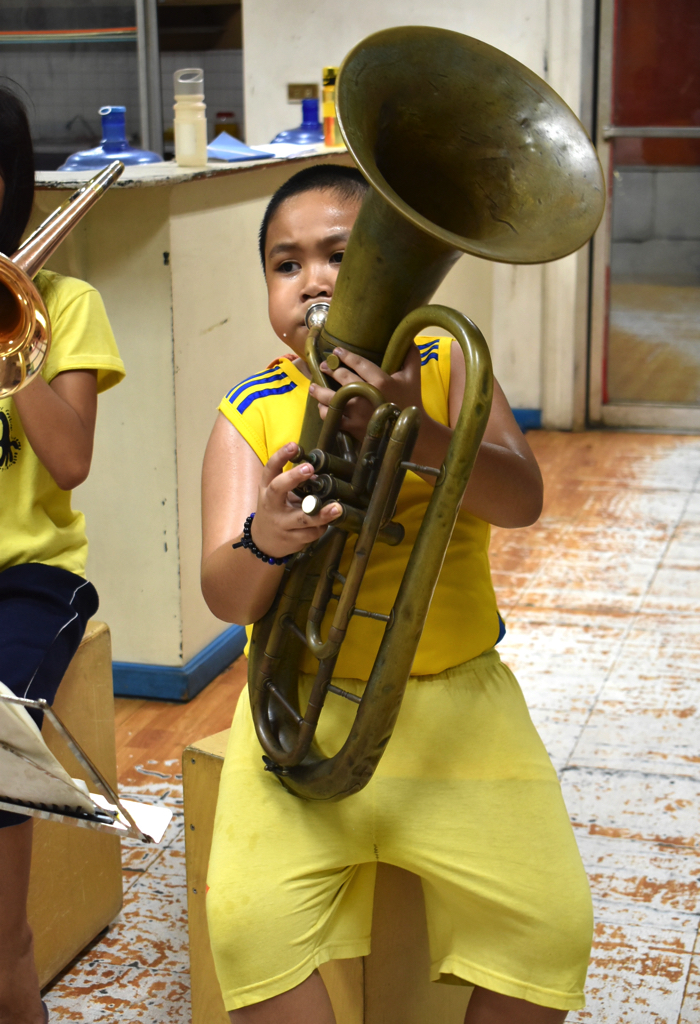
(390, 987)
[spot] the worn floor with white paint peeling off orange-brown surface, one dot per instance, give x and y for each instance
(602, 601)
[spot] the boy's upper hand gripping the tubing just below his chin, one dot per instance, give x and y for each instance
(403, 389)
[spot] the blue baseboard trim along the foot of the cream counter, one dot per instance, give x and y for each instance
(165, 682)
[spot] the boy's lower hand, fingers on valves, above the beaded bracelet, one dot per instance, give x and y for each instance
(280, 528)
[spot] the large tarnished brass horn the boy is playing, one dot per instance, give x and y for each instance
(466, 151)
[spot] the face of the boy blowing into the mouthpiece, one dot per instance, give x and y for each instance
(305, 243)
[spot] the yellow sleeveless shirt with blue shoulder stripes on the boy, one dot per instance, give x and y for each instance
(268, 410)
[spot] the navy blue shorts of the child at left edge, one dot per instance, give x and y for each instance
(43, 614)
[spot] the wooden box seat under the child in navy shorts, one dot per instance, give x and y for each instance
(76, 881)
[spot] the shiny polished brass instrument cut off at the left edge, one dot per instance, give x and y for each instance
(25, 327)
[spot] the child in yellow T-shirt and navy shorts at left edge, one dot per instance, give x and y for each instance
(47, 437)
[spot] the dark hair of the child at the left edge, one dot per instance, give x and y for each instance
(17, 170)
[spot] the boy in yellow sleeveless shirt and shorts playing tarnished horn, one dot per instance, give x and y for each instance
(465, 796)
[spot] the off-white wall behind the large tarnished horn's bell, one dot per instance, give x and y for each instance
(533, 317)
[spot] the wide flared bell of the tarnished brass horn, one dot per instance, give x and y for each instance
(468, 151)
